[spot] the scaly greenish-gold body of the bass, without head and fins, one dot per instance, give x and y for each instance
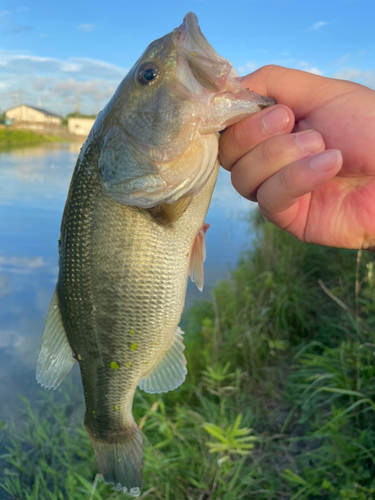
(144, 295)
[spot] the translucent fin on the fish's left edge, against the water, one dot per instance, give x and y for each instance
(55, 356)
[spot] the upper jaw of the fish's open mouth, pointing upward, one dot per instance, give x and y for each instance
(208, 67)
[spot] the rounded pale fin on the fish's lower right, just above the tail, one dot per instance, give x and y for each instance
(171, 370)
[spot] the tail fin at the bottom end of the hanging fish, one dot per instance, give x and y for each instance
(120, 458)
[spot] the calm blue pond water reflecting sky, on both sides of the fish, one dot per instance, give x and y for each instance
(33, 188)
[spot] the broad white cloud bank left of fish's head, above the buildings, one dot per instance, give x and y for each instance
(53, 83)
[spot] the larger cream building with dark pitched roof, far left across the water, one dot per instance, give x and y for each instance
(32, 117)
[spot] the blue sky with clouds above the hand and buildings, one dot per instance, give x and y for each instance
(56, 51)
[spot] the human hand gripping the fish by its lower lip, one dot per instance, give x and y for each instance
(309, 161)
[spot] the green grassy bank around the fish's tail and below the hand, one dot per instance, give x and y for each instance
(279, 402)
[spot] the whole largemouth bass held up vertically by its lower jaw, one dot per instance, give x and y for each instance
(132, 231)
